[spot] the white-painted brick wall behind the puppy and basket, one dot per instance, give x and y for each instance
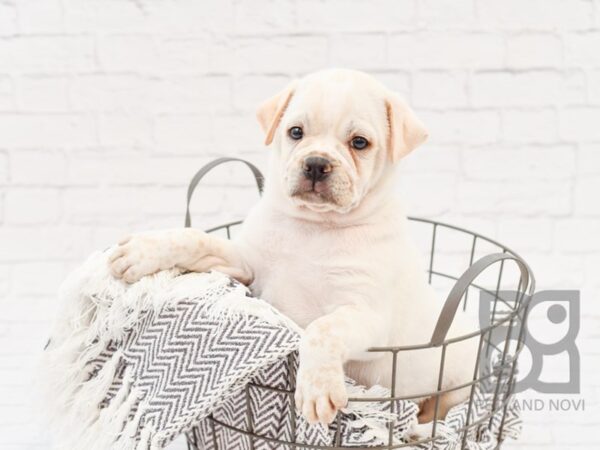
(107, 107)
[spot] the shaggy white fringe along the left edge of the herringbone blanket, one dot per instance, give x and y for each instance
(97, 311)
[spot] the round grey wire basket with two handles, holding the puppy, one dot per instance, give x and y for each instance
(467, 266)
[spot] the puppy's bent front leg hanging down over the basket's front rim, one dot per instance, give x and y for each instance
(327, 344)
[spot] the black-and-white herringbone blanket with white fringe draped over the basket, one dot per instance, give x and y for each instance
(134, 366)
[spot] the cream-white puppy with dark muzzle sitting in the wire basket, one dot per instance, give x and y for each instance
(328, 245)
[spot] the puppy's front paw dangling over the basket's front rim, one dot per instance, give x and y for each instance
(320, 391)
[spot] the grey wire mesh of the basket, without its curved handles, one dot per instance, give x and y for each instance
(509, 313)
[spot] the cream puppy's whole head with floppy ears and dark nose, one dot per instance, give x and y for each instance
(335, 132)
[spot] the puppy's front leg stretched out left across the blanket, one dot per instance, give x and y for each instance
(193, 250)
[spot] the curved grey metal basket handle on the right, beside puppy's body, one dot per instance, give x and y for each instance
(460, 287)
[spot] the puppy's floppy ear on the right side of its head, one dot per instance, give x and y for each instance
(406, 132)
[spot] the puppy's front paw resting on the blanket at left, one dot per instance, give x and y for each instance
(137, 256)
